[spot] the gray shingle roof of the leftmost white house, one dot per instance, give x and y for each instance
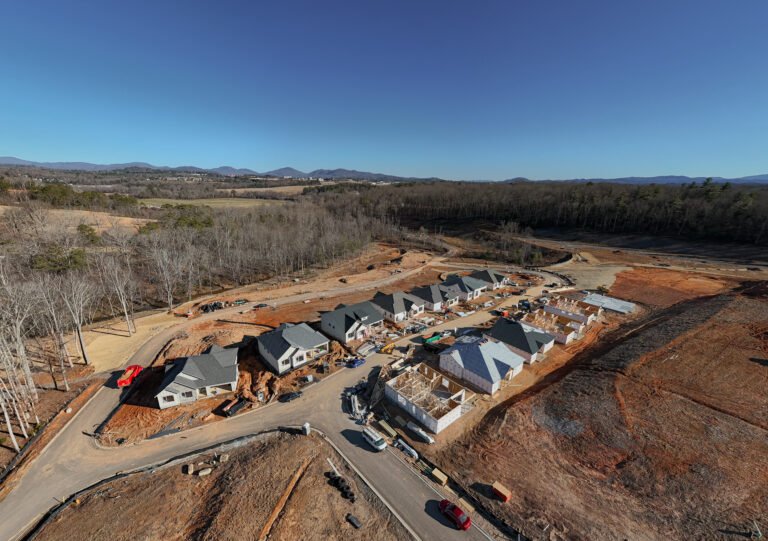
(217, 367)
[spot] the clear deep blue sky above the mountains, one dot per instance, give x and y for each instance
(457, 89)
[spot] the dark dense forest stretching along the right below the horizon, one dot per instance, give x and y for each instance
(709, 211)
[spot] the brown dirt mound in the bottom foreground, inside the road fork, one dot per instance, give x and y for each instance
(233, 502)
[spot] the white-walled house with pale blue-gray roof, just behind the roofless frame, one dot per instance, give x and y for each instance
(481, 362)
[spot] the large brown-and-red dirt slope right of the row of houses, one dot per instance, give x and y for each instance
(657, 432)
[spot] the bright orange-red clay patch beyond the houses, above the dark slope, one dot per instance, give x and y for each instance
(662, 287)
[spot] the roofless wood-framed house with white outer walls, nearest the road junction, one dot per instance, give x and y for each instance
(431, 398)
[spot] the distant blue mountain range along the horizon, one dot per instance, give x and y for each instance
(226, 170)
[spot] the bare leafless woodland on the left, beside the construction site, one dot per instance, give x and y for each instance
(56, 280)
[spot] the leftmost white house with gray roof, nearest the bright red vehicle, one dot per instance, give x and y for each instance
(199, 376)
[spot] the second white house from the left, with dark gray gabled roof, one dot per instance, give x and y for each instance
(291, 346)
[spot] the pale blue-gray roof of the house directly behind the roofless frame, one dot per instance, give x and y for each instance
(491, 361)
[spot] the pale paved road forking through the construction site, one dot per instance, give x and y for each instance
(73, 461)
